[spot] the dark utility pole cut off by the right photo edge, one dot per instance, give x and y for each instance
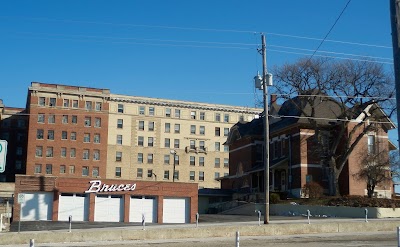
(395, 20)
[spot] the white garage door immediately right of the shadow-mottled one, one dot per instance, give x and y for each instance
(76, 205)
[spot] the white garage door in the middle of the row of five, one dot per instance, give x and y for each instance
(109, 208)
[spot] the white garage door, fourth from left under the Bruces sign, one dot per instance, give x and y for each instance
(143, 205)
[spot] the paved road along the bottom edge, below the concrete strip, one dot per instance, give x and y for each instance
(381, 239)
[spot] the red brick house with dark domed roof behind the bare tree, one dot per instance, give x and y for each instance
(297, 153)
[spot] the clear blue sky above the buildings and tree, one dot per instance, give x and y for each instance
(190, 50)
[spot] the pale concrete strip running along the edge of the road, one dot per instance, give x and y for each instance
(205, 230)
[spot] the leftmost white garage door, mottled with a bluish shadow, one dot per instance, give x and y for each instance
(37, 206)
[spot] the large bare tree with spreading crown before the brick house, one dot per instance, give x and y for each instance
(346, 89)
